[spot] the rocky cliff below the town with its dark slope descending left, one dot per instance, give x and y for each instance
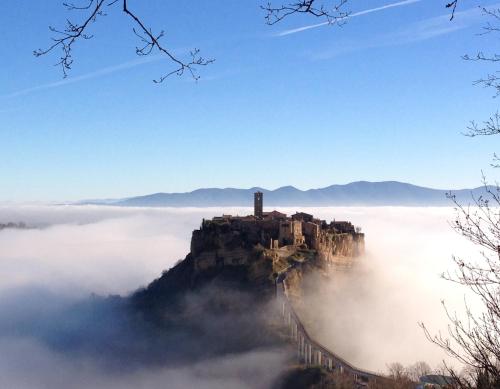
(245, 253)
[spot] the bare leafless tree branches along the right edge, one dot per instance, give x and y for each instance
(474, 339)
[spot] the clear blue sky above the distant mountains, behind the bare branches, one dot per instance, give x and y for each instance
(385, 97)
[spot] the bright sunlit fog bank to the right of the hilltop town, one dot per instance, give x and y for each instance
(370, 314)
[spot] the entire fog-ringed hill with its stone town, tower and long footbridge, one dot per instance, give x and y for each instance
(264, 257)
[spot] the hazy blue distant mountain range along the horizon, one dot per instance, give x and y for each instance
(360, 193)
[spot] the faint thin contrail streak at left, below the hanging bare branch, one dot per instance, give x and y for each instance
(95, 74)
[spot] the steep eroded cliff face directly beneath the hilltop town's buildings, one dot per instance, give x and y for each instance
(218, 246)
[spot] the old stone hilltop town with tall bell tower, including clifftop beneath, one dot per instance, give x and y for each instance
(237, 240)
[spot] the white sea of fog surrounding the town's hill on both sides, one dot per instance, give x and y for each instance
(370, 315)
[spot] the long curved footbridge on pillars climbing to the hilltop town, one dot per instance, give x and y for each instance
(309, 351)
